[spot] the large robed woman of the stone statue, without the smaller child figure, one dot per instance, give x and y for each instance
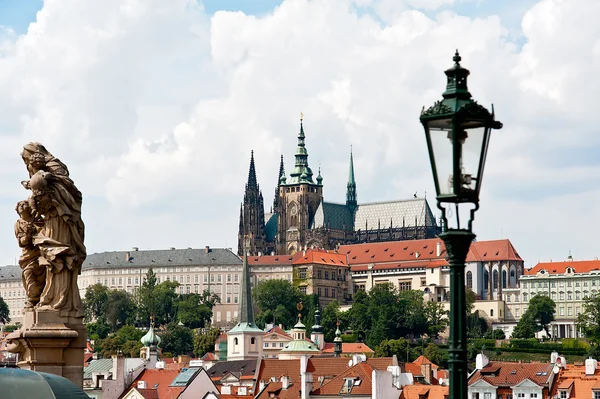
(60, 241)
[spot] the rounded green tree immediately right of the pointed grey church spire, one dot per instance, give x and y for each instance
(277, 300)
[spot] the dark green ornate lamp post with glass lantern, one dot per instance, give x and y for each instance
(458, 133)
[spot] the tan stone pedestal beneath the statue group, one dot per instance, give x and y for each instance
(51, 343)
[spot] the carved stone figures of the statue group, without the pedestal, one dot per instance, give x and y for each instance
(52, 216)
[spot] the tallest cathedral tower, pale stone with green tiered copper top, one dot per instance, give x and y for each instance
(299, 198)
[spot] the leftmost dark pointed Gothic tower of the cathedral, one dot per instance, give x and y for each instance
(252, 216)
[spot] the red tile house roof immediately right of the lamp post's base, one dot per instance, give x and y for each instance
(508, 374)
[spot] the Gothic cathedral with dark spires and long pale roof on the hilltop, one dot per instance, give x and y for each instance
(300, 219)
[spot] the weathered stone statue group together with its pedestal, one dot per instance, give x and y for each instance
(50, 233)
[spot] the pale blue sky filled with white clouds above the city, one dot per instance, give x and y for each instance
(155, 106)
